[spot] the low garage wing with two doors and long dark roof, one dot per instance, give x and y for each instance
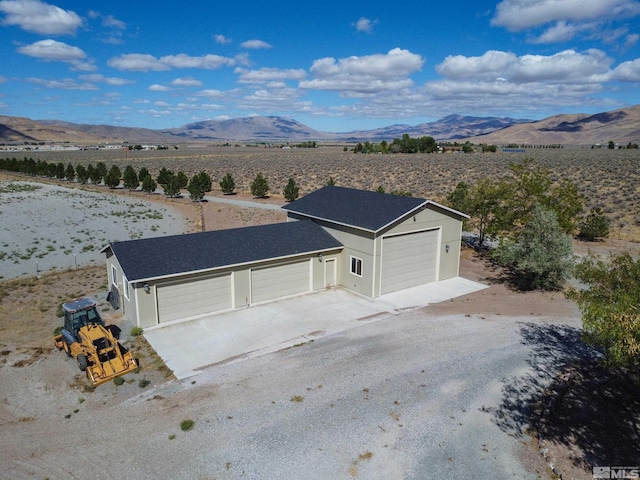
(179, 277)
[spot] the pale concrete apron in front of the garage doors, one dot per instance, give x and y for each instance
(189, 346)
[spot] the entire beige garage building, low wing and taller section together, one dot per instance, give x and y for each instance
(369, 242)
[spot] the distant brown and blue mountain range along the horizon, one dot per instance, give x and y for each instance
(621, 126)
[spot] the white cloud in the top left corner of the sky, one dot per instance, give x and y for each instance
(39, 17)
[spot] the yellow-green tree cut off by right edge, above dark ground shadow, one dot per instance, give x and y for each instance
(610, 307)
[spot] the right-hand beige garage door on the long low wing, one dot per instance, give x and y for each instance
(280, 280)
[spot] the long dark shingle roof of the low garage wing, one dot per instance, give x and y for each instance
(162, 256)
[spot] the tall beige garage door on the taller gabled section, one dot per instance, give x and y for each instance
(408, 260)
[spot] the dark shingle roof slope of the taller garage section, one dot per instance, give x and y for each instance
(356, 208)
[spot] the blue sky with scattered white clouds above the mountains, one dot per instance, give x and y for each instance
(334, 66)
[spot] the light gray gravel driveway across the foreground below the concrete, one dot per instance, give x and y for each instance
(411, 396)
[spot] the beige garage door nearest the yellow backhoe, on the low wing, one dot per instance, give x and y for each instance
(190, 298)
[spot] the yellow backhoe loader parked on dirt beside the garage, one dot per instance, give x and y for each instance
(94, 346)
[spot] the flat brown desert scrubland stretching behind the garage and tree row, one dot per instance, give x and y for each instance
(607, 178)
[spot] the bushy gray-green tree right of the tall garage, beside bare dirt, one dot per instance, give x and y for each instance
(542, 257)
